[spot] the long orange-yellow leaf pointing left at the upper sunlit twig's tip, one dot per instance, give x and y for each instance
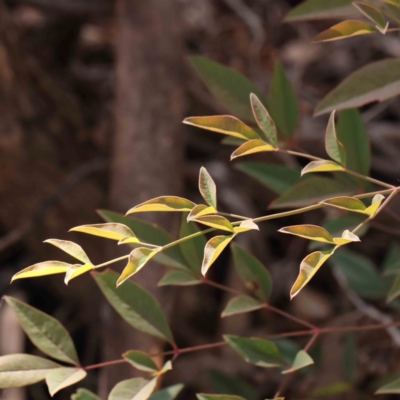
(225, 124)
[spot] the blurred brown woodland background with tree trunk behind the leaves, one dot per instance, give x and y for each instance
(92, 95)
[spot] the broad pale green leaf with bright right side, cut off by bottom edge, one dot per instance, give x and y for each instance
(133, 389)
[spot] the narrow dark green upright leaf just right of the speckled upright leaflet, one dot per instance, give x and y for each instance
(282, 103)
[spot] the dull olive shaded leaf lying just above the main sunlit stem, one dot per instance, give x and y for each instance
(311, 191)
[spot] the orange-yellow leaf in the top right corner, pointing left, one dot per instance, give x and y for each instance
(344, 30)
